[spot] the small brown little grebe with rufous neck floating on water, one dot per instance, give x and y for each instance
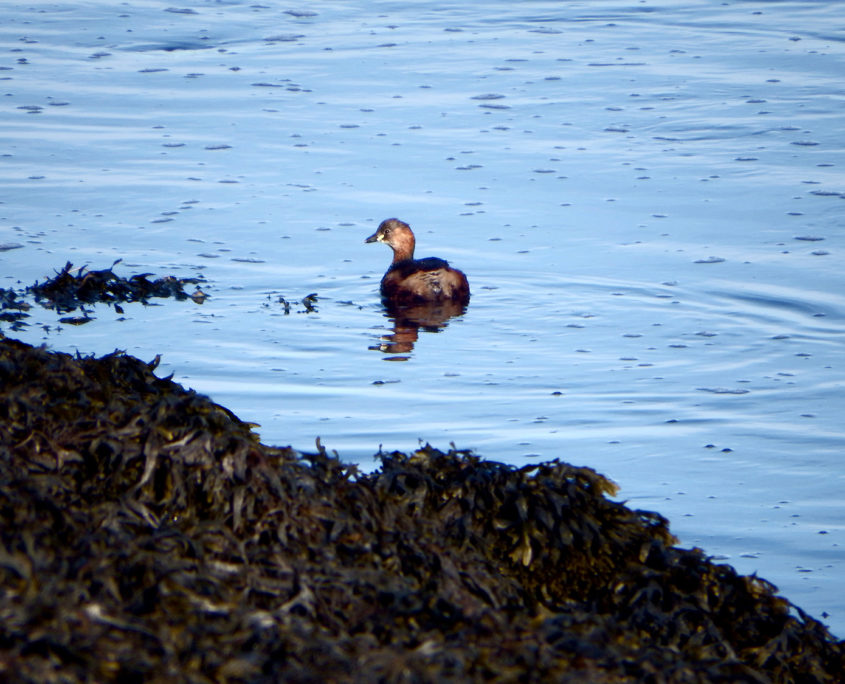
(411, 281)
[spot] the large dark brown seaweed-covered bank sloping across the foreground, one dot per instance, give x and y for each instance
(147, 535)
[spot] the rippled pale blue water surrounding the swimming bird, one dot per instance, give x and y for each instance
(647, 198)
